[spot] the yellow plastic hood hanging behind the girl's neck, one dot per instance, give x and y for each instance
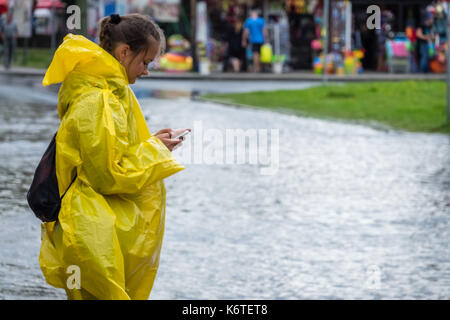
(78, 53)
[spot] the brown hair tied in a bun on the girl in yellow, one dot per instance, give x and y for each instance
(135, 29)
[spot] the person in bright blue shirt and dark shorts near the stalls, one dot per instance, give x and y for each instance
(255, 33)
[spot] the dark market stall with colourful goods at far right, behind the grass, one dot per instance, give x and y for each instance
(394, 47)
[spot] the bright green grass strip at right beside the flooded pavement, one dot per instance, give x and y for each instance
(418, 106)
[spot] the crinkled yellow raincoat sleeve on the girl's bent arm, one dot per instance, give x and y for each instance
(110, 164)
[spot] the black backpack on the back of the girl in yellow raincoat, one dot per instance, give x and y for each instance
(43, 195)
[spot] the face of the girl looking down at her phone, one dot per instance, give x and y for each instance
(136, 65)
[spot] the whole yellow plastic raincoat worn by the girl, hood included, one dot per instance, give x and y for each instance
(111, 222)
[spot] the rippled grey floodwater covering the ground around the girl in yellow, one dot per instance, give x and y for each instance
(351, 212)
